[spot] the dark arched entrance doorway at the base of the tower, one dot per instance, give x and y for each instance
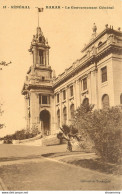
(45, 122)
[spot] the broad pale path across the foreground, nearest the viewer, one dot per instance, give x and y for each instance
(51, 174)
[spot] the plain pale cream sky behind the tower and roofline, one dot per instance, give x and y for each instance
(67, 30)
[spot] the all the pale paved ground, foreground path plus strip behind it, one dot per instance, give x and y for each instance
(30, 171)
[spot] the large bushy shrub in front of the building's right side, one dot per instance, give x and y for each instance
(104, 127)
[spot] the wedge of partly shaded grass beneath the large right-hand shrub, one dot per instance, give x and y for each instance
(93, 163)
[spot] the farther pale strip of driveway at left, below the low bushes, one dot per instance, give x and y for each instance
(9, 151)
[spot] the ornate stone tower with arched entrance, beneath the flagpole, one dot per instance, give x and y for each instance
(38, 87)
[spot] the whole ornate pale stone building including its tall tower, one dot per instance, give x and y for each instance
(95, 78)
